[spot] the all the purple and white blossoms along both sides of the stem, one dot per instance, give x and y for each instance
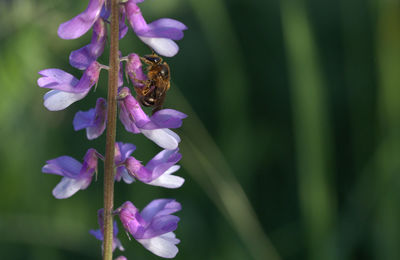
(153, 226)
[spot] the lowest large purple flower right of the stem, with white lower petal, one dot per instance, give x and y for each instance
(154, 226)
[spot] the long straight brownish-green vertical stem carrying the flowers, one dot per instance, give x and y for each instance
(111, 129)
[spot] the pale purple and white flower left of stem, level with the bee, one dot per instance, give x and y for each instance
(66, 89)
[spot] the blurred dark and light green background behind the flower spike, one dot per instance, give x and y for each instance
(291, 149)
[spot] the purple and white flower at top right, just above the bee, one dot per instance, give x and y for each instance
(160, 34)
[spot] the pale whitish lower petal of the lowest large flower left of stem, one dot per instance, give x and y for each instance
(68, 187)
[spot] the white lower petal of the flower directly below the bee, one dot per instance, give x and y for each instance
(164, 137)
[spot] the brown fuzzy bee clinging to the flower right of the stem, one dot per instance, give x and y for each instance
(157, 83)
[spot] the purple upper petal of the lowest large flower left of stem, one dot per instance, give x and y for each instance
(63, 166)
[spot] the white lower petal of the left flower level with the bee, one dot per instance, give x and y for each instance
(56, 100)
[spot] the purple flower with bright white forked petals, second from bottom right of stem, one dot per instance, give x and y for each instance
(158, 171)
